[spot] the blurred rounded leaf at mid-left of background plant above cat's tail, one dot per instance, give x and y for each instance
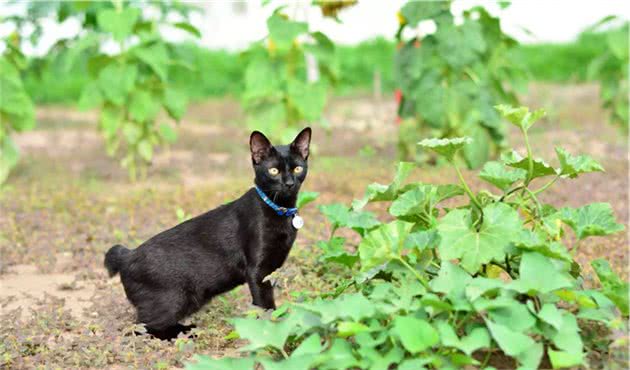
(116, 81)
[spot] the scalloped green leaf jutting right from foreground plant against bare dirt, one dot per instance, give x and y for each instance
(596, 219)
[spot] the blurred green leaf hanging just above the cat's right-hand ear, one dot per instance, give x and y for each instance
(308, 98)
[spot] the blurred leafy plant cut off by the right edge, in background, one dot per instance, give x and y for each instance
(610, 68)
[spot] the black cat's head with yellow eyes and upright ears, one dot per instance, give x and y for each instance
(280, 170)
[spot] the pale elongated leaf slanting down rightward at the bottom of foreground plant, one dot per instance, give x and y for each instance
(516, 344)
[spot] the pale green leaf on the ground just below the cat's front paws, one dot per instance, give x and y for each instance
(262, 333)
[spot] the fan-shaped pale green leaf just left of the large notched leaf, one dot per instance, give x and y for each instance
(383, 244)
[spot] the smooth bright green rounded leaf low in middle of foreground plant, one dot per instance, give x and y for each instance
(416, 335)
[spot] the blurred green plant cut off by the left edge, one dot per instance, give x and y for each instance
(17, 113)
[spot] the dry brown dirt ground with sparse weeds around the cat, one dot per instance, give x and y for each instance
(67, 203)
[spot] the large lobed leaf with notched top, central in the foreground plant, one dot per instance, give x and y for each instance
(459, 239)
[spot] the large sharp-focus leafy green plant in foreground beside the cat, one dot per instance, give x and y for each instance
(489, 278)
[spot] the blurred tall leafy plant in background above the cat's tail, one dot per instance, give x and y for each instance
(131, 86)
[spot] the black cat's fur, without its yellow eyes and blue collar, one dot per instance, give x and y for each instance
(176, 272)
